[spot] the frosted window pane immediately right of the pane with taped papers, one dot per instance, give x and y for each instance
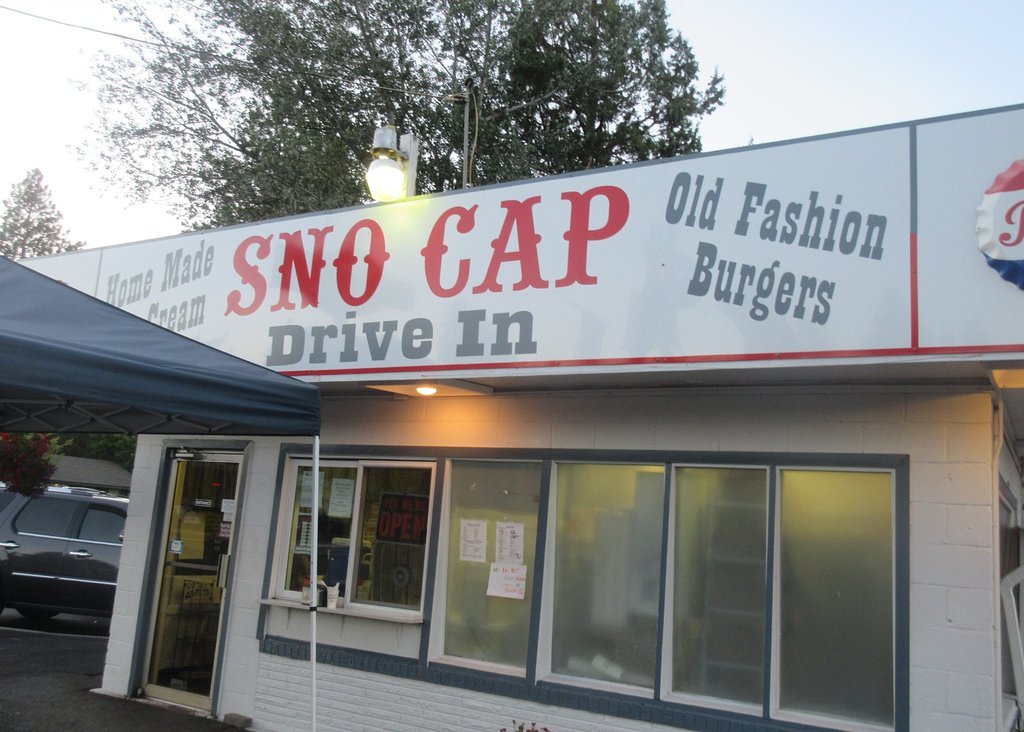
(608, 572)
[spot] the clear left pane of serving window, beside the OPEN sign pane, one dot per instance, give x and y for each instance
(334, 528)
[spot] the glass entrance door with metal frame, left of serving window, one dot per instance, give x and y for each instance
(197, 549)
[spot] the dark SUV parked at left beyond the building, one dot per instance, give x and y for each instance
(60, 552)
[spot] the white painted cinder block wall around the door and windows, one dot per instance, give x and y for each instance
(955, 684)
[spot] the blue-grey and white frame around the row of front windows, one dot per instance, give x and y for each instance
(592, 695)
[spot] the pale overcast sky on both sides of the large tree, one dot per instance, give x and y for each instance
(793, 69)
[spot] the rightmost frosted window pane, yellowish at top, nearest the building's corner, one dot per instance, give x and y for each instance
(835, 595)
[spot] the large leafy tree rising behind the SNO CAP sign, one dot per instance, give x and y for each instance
(253, 109)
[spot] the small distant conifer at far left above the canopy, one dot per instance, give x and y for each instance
(32, 227)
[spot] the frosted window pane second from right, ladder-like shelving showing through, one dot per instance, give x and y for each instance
(719, 590)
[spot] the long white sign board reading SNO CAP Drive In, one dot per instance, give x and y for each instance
(860, 245)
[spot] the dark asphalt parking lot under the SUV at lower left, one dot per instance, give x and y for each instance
(48, 671)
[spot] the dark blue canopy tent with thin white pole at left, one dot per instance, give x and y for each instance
(70, 363)
